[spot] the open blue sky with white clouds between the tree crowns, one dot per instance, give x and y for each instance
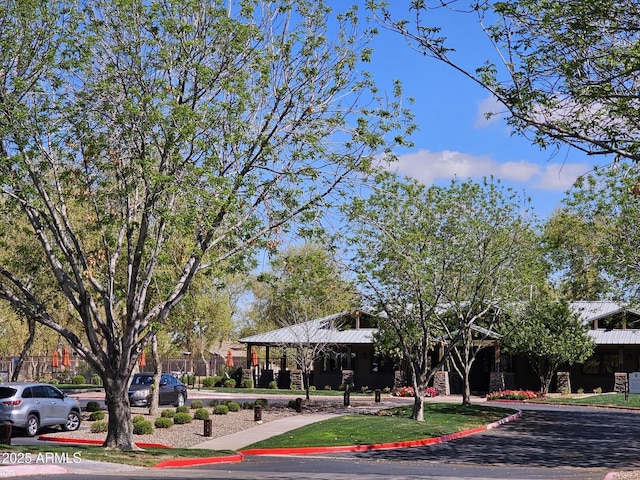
(454, 137)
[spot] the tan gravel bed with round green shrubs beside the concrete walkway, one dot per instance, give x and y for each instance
(188, 435)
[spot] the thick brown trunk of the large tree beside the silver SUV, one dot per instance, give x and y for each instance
(120, 430)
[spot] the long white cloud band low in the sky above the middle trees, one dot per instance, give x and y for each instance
(430, 167)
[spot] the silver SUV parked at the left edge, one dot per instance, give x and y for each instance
(32, 405)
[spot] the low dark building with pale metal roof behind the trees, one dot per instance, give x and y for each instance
(614, 327)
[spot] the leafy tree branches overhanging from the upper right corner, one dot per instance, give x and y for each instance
(565, 71)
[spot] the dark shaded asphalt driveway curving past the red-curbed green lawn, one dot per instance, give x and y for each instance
(548, 437)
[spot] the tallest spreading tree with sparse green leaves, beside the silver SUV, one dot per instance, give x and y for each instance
(127, 125)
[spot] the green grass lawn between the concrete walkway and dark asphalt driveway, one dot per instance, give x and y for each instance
(360, 429)
